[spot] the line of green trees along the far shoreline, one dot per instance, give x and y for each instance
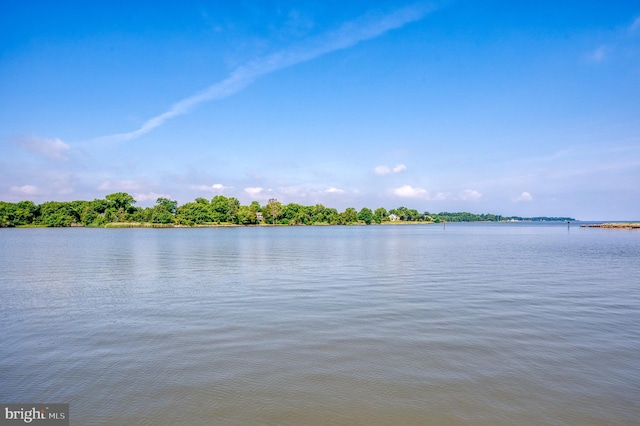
(119, 207)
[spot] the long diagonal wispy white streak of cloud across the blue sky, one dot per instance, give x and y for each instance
(364, 28)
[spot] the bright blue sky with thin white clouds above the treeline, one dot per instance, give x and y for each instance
(513, 108)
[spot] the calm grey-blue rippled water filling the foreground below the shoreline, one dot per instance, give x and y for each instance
(479, 324)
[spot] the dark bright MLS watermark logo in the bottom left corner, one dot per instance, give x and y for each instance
(34, 414)
